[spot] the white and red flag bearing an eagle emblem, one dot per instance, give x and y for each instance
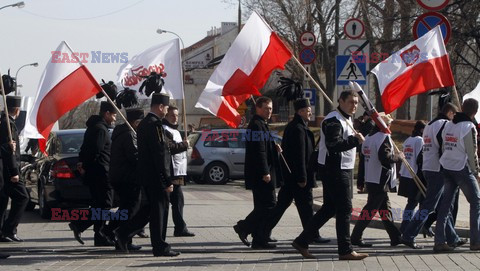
(416, 68)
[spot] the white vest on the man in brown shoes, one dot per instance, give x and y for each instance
(348, 157)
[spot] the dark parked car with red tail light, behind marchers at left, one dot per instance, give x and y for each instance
(53, 180)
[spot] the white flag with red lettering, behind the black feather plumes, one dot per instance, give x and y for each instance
(162, 58)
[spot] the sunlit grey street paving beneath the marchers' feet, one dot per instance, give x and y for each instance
(210, 212)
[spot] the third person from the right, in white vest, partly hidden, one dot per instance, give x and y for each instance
(412, 148)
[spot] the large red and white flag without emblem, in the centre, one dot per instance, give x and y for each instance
(246, 67)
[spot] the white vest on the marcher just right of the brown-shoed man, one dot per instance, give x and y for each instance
(373, 167)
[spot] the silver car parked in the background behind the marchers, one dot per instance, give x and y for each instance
(217, 155)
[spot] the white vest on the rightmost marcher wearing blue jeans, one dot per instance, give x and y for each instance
(454, 156)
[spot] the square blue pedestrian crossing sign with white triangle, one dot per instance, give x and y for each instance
(350, 68)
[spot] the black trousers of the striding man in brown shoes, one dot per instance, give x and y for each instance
(336, 202)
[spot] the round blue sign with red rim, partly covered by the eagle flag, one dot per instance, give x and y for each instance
(428, 21)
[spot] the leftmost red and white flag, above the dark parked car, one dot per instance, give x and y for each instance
(63, 86)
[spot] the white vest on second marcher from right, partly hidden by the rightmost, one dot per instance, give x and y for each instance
(431, 146)
